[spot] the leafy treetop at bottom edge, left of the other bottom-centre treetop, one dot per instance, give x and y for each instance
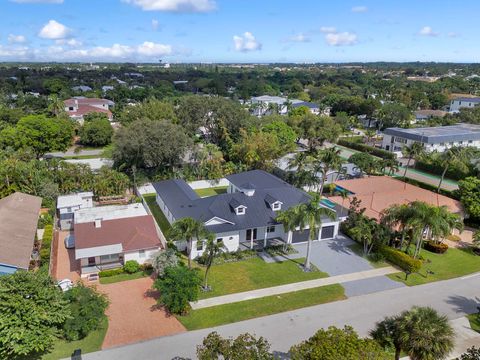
(245, 346)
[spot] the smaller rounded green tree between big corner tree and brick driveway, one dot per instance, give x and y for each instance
(87, 307)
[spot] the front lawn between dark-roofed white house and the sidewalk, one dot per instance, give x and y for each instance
(254, 274)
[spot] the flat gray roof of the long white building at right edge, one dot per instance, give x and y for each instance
(436, 135)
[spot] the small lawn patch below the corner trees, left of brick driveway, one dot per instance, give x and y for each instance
(92, 342)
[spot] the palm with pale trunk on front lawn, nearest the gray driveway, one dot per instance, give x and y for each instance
(310, 215)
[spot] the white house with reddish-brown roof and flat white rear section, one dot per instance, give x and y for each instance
(108, 236)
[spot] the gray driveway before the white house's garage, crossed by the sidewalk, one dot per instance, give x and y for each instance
(336, 258)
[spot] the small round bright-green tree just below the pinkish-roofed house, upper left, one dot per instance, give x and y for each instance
(96, 130)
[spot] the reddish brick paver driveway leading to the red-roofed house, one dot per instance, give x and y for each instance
(133, 314)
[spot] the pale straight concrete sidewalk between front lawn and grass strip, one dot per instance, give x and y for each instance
(282, 289)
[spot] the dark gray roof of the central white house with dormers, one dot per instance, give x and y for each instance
(258, 213)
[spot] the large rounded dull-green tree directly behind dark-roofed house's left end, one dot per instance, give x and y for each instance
(149, 145)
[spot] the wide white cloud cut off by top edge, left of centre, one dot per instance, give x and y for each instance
(181, 6)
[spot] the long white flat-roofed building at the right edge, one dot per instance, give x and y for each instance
(433, 138)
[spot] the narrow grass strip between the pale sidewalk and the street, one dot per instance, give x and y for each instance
(249, 309)
